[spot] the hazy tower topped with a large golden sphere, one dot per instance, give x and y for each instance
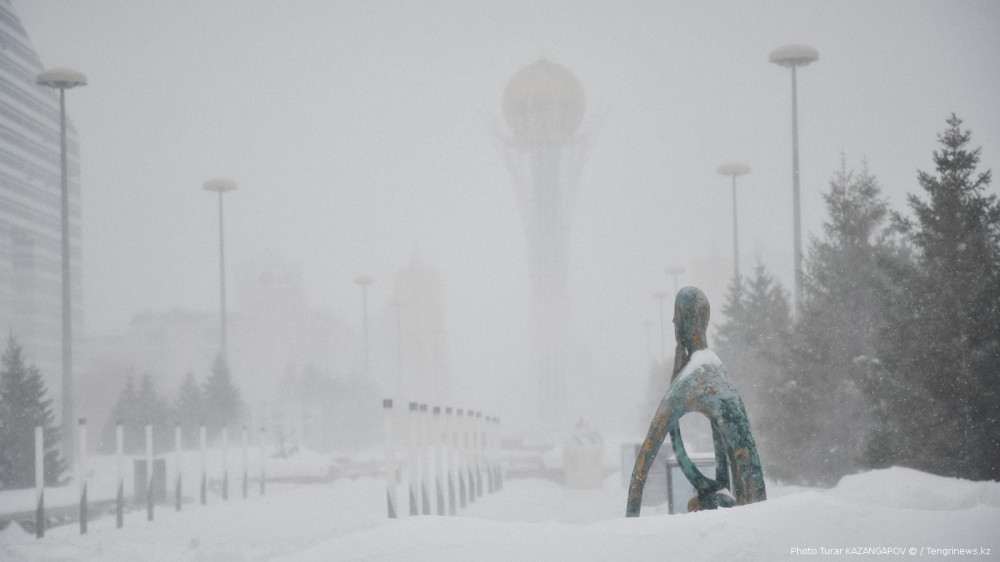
(543, 105)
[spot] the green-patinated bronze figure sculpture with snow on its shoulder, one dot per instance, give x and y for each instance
(704, 388)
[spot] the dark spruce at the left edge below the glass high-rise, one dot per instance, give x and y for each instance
(23, 406)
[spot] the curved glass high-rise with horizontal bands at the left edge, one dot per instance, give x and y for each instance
(30, 205)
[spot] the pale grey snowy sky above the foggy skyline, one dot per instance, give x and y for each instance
(360, 136)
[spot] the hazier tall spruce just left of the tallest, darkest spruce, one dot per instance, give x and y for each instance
(836, 334)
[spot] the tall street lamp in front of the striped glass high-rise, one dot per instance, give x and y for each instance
(63, 79)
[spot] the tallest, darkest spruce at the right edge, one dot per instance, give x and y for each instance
(945, 342)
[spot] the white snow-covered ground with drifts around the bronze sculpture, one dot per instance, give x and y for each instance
(894, 512)
